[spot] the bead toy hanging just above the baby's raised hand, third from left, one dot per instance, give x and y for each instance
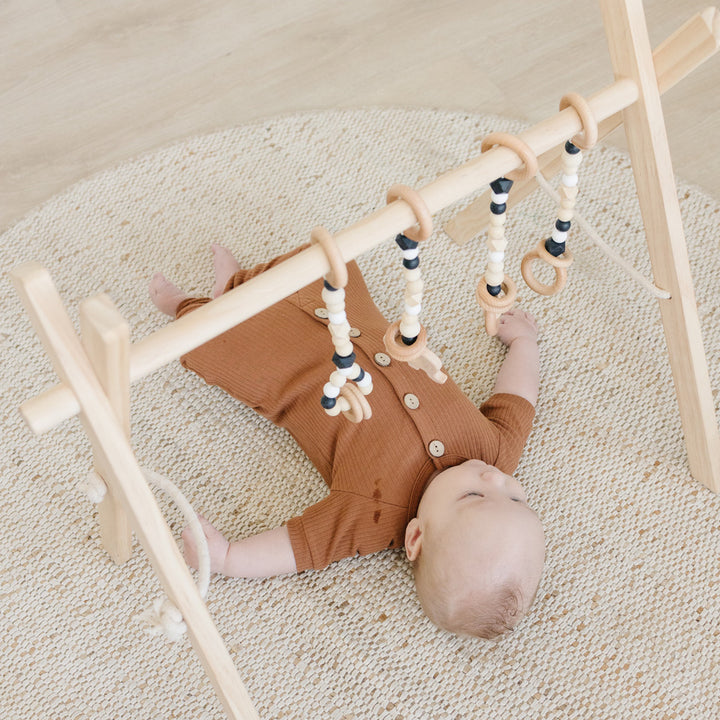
(496, 291)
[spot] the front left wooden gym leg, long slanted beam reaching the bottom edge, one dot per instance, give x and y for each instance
(117, 462)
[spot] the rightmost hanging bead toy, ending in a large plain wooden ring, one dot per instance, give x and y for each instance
(553, 250)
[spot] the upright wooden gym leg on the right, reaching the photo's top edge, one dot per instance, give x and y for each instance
(650, 155)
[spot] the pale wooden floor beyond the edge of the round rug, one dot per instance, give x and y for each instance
(85, 85)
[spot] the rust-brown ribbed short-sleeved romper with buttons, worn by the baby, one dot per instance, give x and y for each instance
(277, 363)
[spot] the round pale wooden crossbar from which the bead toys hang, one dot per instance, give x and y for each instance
(212, 319)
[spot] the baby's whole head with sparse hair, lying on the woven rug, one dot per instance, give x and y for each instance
(477, 550)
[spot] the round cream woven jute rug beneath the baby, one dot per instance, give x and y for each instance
(626, 620)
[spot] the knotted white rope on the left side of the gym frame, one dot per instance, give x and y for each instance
(164, 617)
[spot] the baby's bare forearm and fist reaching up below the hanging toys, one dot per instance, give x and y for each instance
(520, 372)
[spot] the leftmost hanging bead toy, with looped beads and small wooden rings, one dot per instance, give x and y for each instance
(338, 395)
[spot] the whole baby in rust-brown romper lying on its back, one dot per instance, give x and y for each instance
(428, 470)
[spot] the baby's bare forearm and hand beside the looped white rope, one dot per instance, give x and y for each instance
(266, 554)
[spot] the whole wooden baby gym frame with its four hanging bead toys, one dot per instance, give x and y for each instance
(96, 371)
